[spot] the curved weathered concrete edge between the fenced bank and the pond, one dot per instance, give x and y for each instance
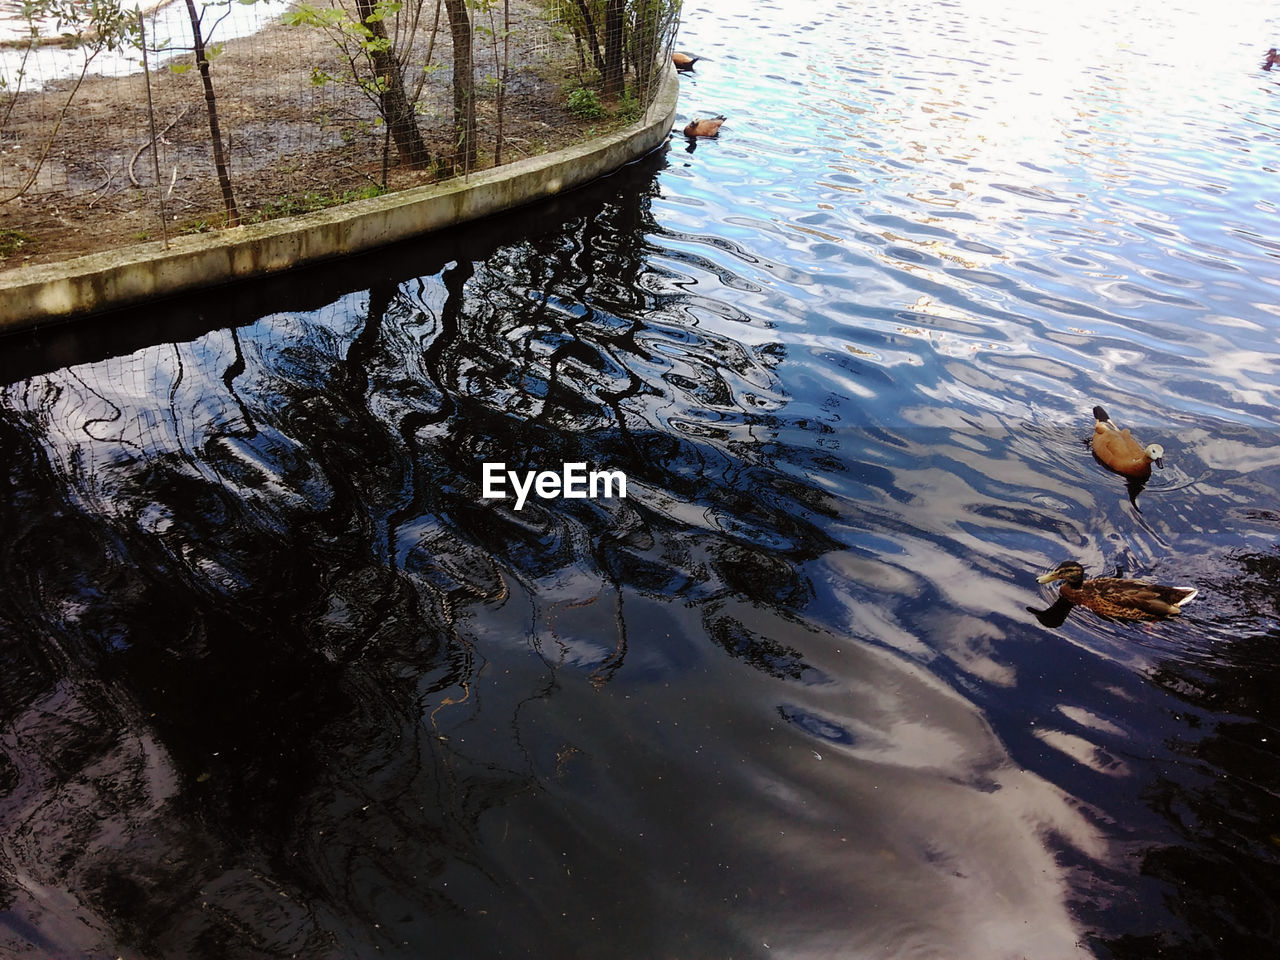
(51, 292)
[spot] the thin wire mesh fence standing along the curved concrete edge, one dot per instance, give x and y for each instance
(124, 125)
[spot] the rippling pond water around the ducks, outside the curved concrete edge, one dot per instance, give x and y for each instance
(278, 680)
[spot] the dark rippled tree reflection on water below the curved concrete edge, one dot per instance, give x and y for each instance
(240, 670)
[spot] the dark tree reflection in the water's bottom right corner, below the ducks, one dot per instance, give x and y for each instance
(1223, 801)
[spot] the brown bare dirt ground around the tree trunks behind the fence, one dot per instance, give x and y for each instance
(292, 144)
